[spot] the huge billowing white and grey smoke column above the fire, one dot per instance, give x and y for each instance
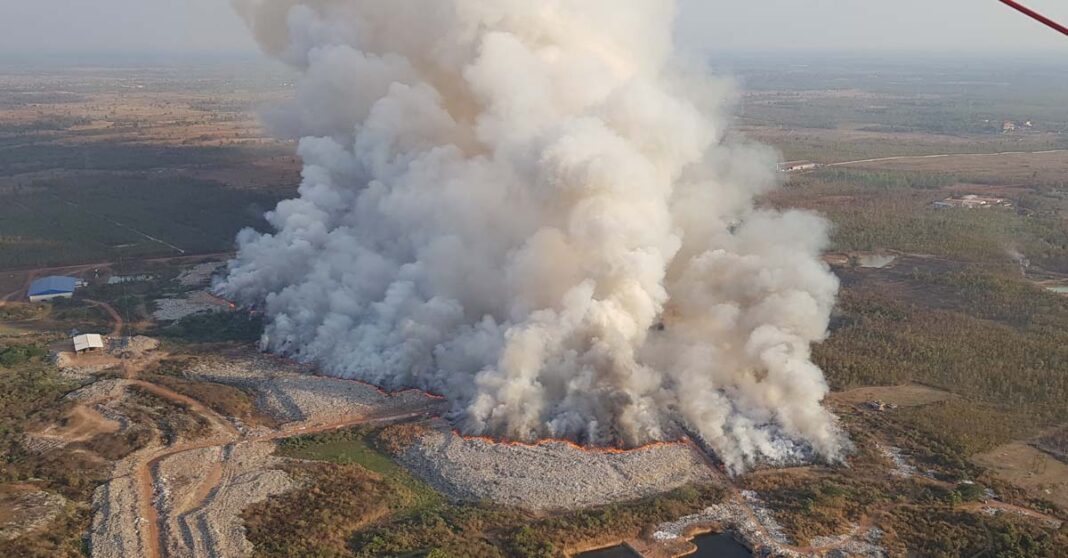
(532, 208)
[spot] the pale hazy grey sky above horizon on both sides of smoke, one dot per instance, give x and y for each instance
(959, 26)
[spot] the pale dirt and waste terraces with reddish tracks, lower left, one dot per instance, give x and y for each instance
(185, 499)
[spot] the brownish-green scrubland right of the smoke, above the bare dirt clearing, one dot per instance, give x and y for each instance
(1017, 365)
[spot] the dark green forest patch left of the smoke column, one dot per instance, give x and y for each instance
(96, 220)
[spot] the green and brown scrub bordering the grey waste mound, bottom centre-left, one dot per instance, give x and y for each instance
(358, 502)
